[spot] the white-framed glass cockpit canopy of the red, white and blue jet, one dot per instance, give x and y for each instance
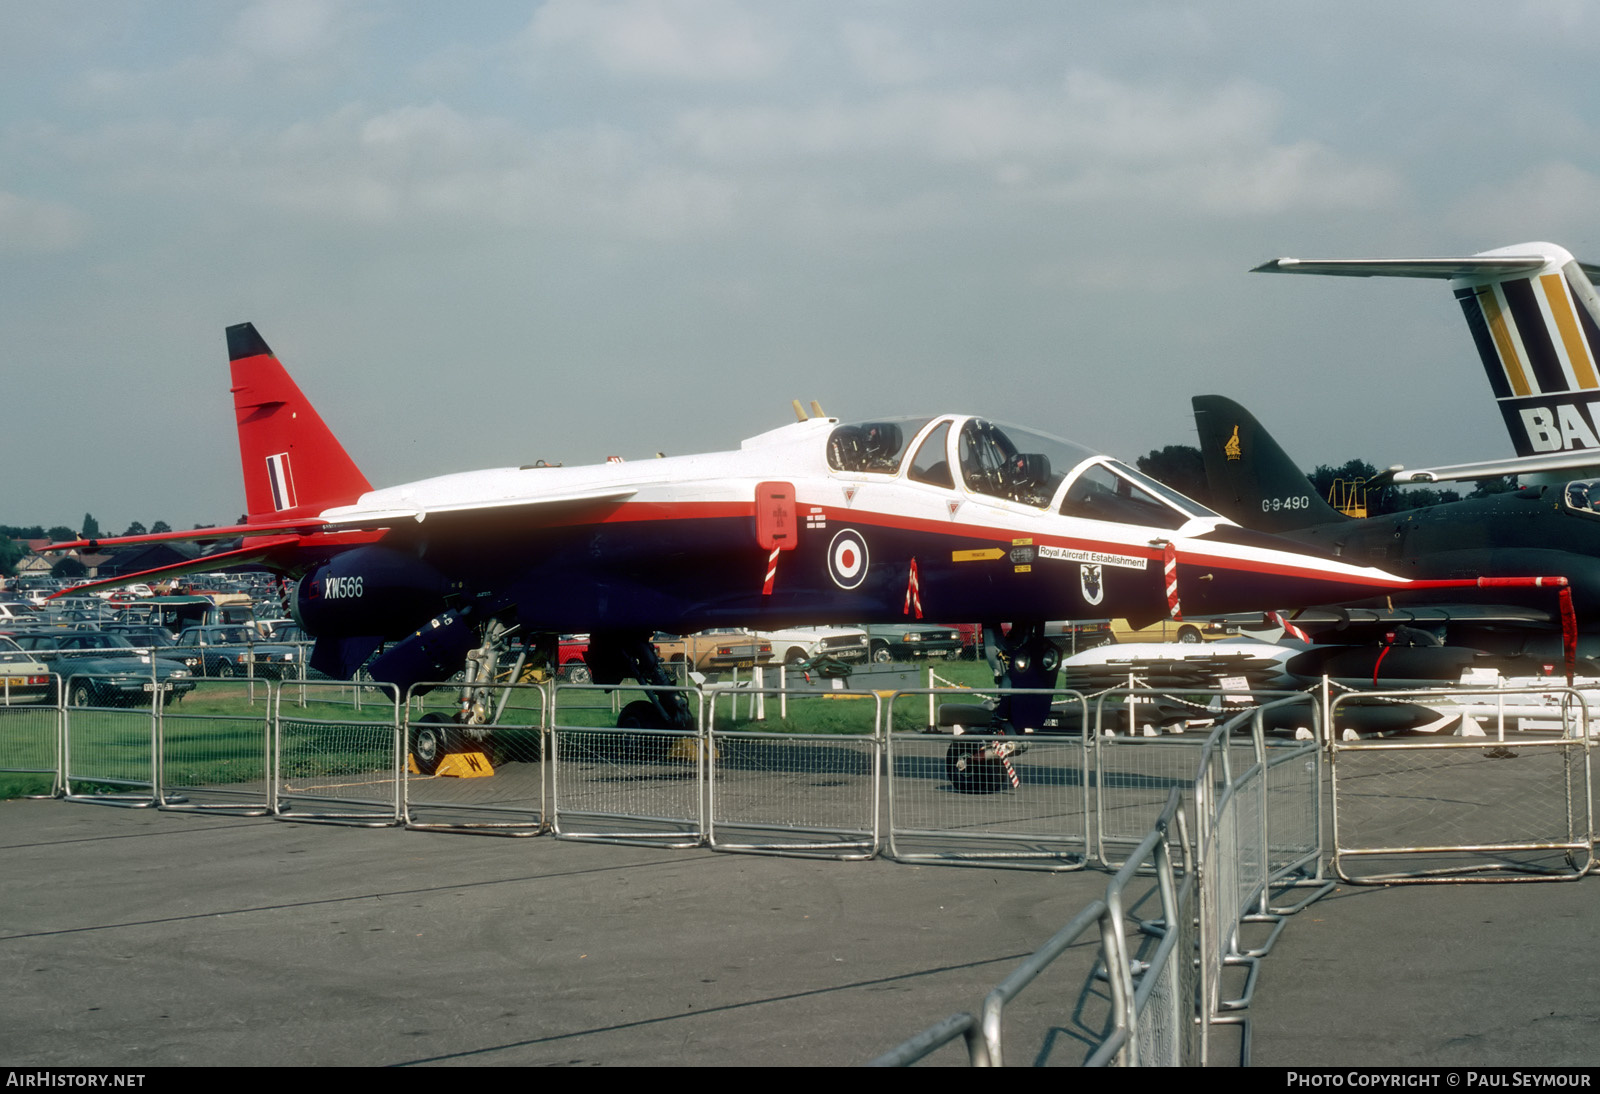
(1015, 465)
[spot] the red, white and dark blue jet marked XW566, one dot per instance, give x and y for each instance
(817, 522)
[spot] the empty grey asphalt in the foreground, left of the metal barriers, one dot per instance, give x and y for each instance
(143, 938)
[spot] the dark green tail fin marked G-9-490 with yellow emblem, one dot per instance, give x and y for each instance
(1252, 479)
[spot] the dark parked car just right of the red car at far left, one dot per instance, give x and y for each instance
(106, 671)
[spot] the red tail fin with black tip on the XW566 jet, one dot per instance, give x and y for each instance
(294, 463)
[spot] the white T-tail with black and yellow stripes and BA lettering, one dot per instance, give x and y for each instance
(1535, 319)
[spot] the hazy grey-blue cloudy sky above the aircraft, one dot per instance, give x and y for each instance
(500, 233)
